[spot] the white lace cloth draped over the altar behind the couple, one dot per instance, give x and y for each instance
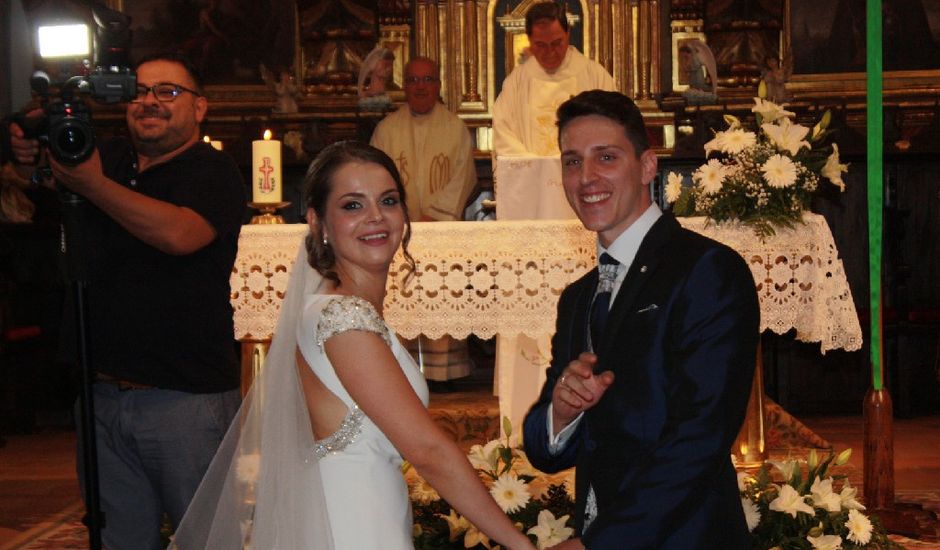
(505, 277)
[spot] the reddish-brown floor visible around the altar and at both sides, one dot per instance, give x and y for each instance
(37, 471)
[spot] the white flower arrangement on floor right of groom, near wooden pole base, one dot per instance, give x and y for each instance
(808, 512)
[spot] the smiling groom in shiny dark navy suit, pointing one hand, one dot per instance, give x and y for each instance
(644, 395)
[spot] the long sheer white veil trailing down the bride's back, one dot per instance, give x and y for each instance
(263, 489)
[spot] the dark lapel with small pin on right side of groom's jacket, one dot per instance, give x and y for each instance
(651, 252)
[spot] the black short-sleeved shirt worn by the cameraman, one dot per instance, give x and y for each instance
(155, 318)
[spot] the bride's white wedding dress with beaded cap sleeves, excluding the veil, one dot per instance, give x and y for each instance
(366, 495)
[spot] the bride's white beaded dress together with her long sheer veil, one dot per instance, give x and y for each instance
(271, 485)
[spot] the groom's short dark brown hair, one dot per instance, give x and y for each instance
(613, 105)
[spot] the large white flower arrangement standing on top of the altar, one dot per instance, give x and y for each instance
(766, 177)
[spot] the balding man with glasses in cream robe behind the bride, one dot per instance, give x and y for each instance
(432, 149)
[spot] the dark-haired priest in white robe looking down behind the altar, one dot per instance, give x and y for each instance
(528, 172)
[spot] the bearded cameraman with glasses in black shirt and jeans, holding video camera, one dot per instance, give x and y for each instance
(162, 237)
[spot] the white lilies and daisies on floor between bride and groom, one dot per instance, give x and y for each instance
(540, 505)
